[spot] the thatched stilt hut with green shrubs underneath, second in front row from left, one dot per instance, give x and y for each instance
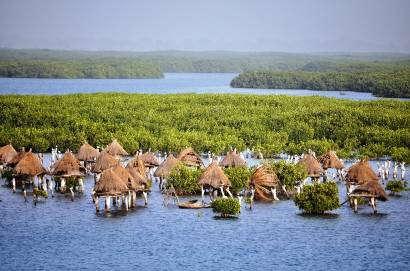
(68, 173)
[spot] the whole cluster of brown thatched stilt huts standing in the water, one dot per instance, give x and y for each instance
(119, 181)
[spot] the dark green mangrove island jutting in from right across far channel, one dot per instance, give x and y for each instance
(381, 83)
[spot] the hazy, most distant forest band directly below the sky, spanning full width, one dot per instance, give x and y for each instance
(225, 61)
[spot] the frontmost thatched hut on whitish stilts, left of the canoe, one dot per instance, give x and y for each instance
(110, 185)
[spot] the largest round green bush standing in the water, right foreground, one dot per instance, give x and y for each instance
(318, 198)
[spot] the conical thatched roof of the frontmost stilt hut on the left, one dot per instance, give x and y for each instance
(110, 184)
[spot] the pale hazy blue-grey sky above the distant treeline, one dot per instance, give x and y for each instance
(252, 25)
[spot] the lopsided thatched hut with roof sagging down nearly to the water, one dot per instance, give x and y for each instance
(264, 181)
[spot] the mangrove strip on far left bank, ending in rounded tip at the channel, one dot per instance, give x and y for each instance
(101, 68)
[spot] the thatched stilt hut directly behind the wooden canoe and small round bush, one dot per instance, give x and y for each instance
(214, 178)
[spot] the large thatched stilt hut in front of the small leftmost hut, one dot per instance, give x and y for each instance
(29, 170)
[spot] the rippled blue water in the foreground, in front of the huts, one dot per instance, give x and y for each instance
(60, 234)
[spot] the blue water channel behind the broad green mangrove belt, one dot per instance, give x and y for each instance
(171, 83)
